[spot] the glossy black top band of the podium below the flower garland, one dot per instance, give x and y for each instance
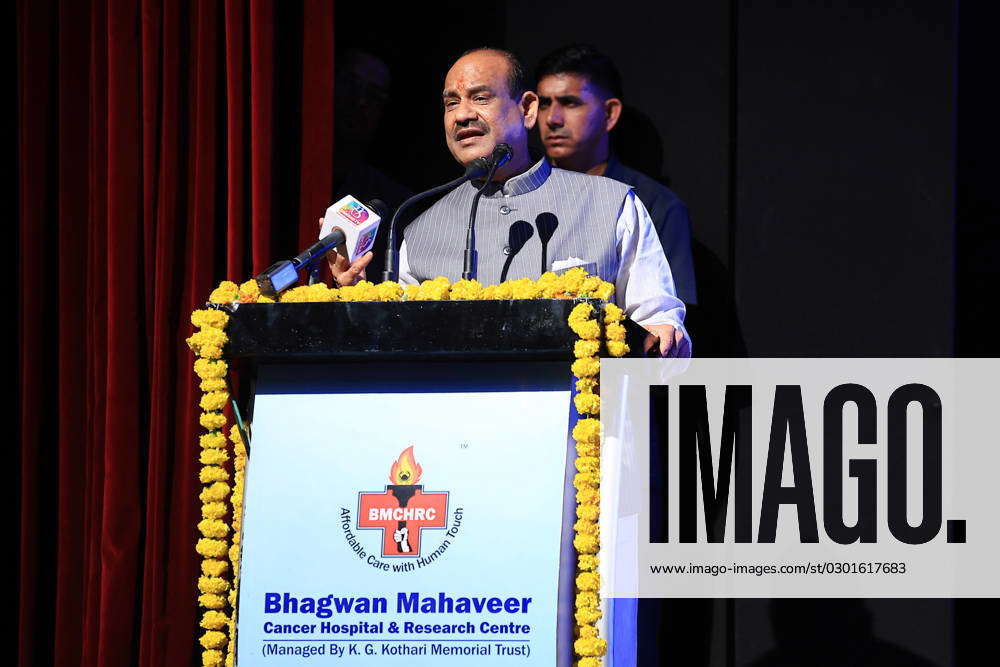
(341, 331)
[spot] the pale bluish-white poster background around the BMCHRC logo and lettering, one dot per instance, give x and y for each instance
(500, 456)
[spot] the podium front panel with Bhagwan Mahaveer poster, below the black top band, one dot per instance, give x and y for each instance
(405, 513)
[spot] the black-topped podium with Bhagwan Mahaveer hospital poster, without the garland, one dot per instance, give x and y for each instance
(409, 492)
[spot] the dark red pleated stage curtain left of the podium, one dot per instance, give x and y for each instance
(162, 147)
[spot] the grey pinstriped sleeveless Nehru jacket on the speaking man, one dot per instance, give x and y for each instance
(563, 213)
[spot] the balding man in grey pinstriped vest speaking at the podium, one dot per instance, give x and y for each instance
(531, 215)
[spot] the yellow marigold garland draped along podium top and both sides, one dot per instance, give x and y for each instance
(220, 542)
